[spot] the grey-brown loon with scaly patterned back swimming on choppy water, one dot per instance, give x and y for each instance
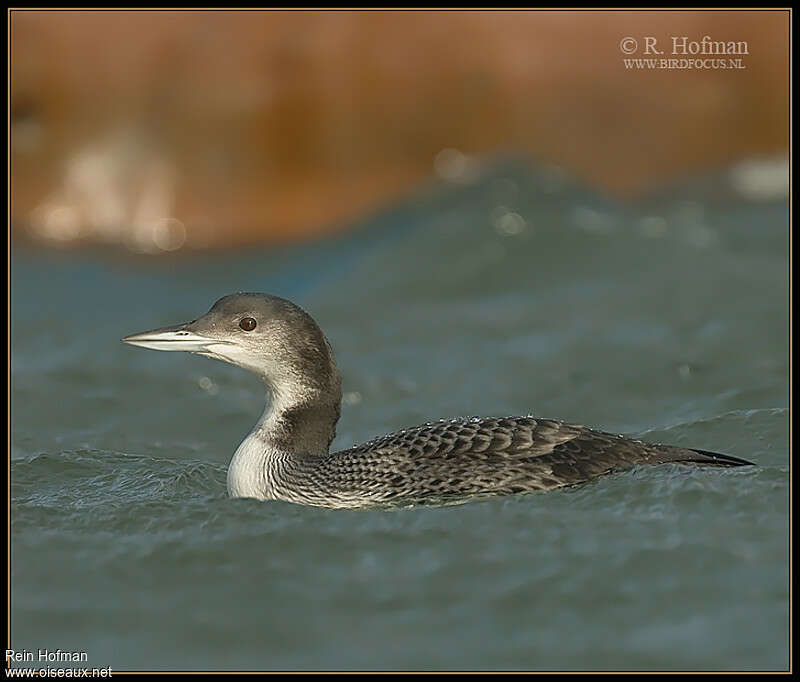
(286, 456)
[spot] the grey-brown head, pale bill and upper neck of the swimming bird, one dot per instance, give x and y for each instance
(266, 335)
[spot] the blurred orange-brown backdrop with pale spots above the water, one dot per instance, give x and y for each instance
(163, 130)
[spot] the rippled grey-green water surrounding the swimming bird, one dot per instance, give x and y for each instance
(521, 294)
